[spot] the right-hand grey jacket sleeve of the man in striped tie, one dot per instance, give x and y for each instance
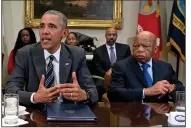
(85, 79)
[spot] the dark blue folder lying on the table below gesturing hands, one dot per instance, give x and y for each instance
(69, 112)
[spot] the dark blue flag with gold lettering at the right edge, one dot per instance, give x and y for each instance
(176, 32)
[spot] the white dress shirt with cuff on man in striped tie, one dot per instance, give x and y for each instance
(56, 66)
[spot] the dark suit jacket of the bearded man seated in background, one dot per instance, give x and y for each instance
(101, 58)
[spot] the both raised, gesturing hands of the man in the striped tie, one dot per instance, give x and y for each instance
(70, 91)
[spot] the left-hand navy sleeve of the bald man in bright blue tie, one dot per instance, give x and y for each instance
(117, 90)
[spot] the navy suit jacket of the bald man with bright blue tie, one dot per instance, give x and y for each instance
(128, 80)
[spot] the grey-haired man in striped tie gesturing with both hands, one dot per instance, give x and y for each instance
(51, 71)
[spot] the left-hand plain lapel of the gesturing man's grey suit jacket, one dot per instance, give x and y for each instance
(39, 61)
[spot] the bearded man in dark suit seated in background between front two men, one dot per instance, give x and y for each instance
(106, 55)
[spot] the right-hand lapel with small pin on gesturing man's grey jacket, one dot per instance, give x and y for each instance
(65, 64)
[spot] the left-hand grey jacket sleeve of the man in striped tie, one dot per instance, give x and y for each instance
(16, 81)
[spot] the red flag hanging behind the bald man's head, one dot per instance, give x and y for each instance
(149, 20)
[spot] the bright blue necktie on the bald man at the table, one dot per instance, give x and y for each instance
(147, 75)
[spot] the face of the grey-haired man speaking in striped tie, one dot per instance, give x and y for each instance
(51, 32)
